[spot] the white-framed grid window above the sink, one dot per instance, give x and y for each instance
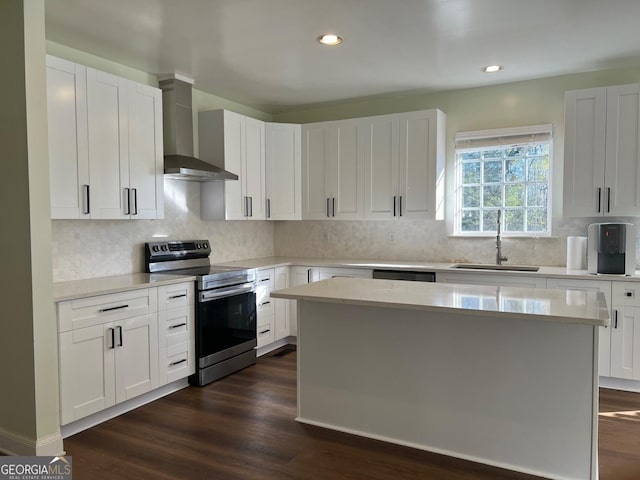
(508, 170)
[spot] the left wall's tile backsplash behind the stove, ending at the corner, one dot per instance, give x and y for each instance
(97, 248)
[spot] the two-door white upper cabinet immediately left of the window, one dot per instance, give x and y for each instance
(404, 165)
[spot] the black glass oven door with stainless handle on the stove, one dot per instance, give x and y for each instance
(225, 323)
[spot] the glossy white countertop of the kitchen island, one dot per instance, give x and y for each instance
(584, 308)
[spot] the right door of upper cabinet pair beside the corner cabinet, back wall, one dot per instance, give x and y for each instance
(346, 187)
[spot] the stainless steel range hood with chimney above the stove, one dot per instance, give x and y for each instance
(179, 162)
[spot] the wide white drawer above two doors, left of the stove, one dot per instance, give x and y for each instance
(86, 312)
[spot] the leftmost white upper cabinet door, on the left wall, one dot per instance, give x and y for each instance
(67, 123)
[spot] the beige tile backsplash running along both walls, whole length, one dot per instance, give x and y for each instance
(96, 248)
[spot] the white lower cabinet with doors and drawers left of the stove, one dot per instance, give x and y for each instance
(118, 346)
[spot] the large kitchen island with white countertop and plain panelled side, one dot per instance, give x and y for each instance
(498, 375)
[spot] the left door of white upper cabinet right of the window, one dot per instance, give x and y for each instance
(584, 152)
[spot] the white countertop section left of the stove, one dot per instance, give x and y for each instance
(104, 285)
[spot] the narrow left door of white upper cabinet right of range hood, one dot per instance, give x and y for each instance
(234, 152)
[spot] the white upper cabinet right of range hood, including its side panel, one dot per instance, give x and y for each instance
(236, 143)
